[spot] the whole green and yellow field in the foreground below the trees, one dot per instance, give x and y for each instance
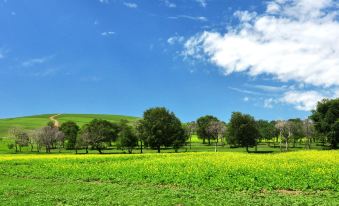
(308, 178)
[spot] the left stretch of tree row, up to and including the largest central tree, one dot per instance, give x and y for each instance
(156, 129)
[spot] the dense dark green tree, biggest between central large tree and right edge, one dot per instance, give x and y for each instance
(243, 128)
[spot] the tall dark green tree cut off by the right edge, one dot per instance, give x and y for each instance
(325, 118)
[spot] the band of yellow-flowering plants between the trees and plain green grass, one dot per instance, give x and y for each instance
(308, 172)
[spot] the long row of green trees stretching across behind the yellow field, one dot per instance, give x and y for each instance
(161, 128)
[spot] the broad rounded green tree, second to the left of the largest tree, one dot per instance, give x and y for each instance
(100, 133)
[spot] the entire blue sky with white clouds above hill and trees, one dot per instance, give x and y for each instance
(195, 57)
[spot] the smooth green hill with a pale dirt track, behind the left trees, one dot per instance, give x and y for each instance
(33, 122)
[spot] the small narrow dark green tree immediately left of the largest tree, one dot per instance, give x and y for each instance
(127, 138)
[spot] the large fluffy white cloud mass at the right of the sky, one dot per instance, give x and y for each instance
(292, 41)
